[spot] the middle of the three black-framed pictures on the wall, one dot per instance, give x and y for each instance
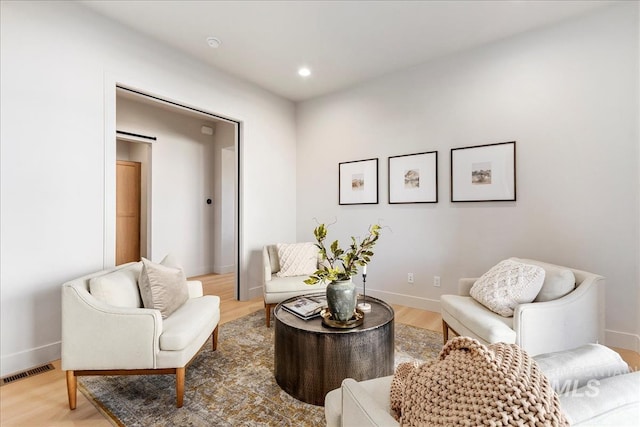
(413, 178)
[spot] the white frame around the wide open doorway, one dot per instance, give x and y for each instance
(109, 155)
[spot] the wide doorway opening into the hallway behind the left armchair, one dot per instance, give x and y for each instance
(189, 182)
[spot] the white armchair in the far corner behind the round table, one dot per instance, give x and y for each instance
(277, 289)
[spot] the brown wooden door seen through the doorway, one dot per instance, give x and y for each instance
(127, 211)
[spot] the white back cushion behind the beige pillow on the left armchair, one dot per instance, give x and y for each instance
(119, 288)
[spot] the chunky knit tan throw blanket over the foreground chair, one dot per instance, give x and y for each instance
(474, 385)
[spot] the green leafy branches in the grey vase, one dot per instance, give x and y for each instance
(338, 264)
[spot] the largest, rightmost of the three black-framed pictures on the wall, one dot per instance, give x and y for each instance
(484, 173)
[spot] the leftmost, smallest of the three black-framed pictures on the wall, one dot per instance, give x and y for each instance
(358, 182)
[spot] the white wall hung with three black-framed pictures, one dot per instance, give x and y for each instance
(568, 95)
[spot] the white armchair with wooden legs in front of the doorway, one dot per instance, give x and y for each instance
(111, 334)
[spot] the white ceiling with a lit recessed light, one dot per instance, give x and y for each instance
(343, 42)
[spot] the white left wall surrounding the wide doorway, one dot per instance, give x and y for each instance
(60, 63)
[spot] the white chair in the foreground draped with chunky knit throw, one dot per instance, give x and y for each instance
(593, 383)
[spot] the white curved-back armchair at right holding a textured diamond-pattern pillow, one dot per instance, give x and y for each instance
(538, 327)
